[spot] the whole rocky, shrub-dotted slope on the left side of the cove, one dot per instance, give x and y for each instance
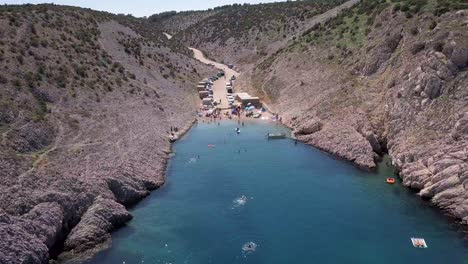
(87, 102)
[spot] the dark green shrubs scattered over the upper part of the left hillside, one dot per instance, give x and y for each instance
(40, 47)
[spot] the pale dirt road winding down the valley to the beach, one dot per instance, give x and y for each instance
(219, 86)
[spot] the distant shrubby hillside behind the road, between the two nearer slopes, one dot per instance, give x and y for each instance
(245, 33)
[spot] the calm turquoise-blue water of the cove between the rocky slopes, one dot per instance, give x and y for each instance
(303, 207)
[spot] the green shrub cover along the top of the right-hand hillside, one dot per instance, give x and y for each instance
(349, 31)
